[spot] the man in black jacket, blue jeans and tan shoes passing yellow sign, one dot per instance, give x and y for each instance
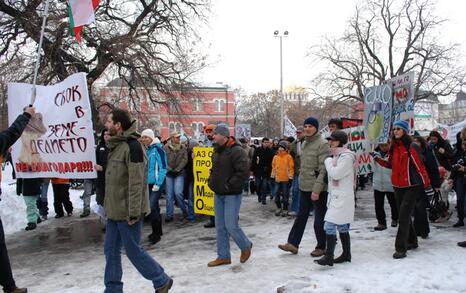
(228, 173)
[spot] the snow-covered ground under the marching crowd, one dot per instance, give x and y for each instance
(66, 255)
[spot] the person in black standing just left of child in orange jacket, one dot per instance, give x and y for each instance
(261, 168)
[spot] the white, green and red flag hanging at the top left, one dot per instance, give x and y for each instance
(81, 12)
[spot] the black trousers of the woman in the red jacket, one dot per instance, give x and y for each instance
(406, 200)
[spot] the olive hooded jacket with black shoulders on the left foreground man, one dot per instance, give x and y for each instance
(126, 192)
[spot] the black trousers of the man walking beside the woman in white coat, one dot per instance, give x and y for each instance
(299, 225)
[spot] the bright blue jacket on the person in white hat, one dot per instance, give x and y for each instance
(157, 165)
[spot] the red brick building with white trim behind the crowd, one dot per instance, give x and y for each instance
(187, 111)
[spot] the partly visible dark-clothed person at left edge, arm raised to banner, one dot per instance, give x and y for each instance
(7, 139)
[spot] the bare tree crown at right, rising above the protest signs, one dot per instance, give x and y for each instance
(387, 38)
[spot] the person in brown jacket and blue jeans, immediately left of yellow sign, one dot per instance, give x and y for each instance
(177, 158)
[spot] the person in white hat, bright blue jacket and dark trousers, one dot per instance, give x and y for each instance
(156, 173)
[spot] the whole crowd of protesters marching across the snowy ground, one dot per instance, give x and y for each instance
(307, 175)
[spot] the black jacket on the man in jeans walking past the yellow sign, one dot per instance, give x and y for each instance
(229, 169)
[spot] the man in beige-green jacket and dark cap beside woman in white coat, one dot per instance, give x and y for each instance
(313, 186)
